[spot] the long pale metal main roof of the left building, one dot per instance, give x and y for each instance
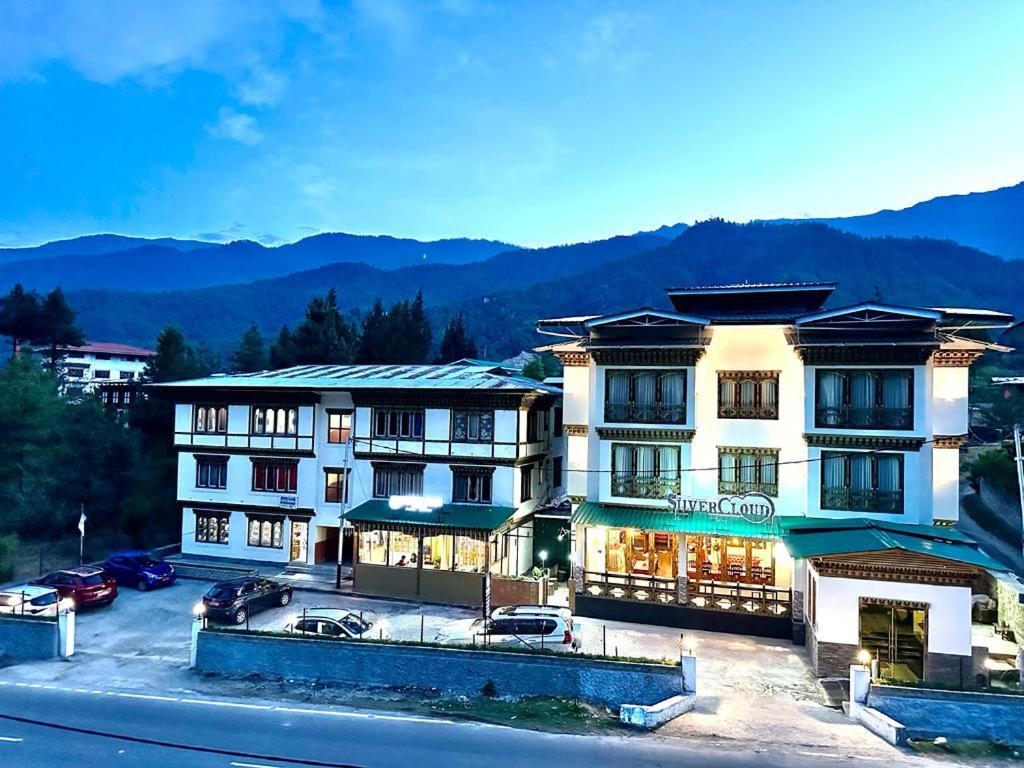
(462, 375)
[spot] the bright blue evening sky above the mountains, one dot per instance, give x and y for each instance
(534, 123)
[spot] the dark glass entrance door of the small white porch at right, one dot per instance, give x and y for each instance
(895, 634)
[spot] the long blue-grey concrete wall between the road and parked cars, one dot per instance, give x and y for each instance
(451, 671)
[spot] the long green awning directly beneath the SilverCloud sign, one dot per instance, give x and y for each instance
(699, 524)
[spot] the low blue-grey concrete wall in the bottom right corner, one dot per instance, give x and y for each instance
(928, 714)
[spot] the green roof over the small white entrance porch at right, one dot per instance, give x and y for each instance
(806, 538)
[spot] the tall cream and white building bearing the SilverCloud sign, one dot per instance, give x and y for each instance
(749, 461)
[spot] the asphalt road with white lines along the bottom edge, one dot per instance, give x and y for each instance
(48, 728)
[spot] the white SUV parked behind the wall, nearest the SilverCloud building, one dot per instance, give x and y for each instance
(530, 631)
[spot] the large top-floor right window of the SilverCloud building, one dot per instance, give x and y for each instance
(863, 399)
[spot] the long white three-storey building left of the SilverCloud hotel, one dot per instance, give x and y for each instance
(436, 470)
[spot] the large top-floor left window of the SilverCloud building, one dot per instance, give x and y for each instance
(646, 397)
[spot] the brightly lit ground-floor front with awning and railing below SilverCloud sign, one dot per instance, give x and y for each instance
(700, 568)
